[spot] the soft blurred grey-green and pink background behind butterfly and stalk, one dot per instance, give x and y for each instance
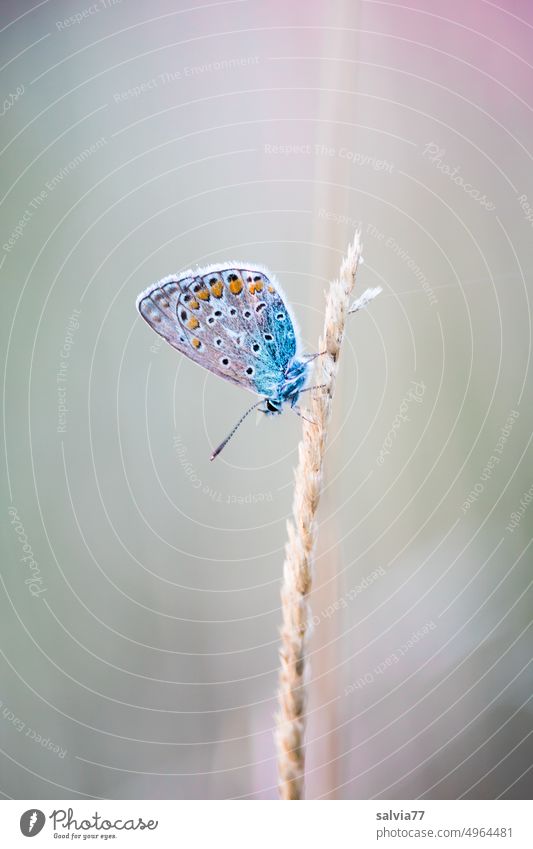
(140, 582)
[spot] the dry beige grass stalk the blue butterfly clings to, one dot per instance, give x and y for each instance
(302, 532)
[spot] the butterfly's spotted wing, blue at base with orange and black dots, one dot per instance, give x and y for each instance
(232, 320)
